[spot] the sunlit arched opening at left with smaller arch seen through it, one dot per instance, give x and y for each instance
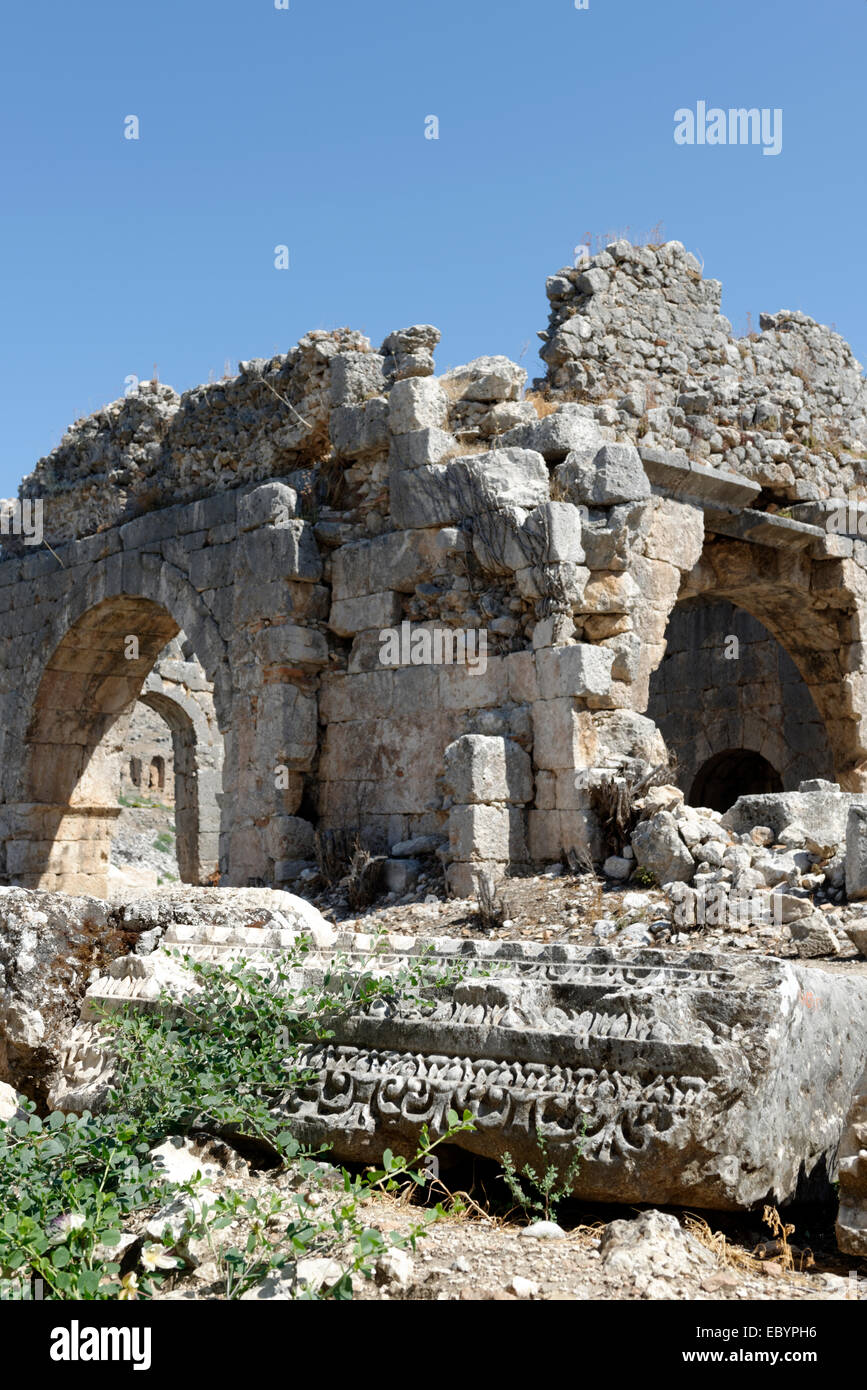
(79, 754)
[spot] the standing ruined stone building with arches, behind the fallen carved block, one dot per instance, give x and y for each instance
(415, 605)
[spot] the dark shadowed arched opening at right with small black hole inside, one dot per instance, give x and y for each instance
(734, 710)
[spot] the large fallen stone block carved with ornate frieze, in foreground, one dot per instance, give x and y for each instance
(687, 1078)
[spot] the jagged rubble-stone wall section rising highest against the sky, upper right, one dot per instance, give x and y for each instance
(640, 330)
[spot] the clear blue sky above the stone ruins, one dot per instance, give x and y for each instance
(306, 127)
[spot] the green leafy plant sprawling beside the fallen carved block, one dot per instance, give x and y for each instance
(220, 1060)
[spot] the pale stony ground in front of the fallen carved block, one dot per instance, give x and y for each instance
(491, 1254)
